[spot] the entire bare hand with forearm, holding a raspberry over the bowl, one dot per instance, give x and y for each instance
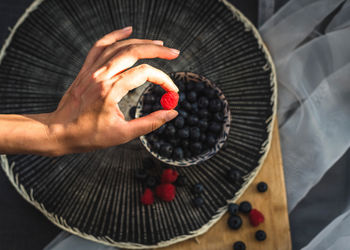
(88, 116)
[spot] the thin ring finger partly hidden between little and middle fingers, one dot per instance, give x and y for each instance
(111, 50)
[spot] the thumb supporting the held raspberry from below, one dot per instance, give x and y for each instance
(149, 123)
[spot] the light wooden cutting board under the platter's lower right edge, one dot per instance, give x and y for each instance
(273, 204)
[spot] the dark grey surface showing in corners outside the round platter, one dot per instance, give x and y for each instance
(21, 225)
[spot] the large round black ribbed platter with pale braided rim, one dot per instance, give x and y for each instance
(95, 195)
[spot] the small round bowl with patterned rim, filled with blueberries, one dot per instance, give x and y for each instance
(200, 129)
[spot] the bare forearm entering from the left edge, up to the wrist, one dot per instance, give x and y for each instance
(26, 134)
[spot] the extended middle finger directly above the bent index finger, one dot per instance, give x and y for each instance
(127, 57)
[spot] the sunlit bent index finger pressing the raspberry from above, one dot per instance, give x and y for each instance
(137, 76)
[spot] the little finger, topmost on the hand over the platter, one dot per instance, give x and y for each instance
(107, 40)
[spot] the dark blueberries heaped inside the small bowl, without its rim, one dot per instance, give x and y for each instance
(197, 127)
